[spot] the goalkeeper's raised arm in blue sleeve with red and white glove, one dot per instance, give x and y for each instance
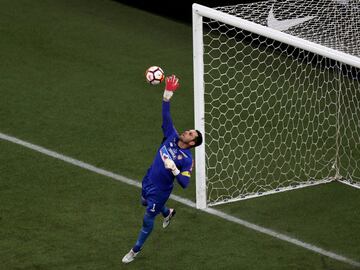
(171, 85)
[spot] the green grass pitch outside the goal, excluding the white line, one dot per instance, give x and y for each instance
(72, 80)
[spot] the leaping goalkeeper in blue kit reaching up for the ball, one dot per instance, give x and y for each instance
(173, 160)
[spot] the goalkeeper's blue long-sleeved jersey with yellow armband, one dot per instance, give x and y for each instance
(161, 177)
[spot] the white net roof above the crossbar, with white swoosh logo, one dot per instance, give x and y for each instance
(332, 23)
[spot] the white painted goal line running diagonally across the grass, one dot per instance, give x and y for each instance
(182, 200)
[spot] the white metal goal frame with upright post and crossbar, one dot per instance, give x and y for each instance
(200, 11)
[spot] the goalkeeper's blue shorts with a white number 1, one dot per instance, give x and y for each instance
(153, 198)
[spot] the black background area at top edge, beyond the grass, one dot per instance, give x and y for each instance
(178, 10)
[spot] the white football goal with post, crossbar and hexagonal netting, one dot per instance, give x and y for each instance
(277, 96)
